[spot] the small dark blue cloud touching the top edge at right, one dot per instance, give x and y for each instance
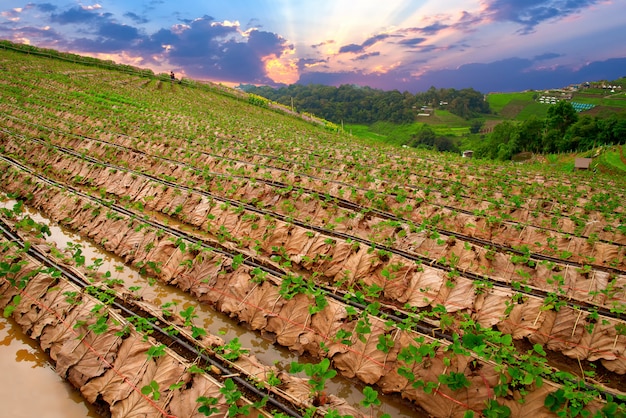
(530, 13)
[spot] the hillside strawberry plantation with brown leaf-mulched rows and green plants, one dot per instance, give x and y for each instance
(459, 288)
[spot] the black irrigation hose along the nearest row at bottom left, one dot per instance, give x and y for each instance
(76, 279)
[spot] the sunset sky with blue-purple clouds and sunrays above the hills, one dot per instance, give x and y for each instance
(408, 45)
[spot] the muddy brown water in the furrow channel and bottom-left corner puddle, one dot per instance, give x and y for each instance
(214, 322)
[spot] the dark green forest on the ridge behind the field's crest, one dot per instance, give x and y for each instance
(365, 105)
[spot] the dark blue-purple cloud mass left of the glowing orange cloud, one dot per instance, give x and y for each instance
(204, 47)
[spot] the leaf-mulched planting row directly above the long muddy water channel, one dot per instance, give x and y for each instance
(370, 348)
